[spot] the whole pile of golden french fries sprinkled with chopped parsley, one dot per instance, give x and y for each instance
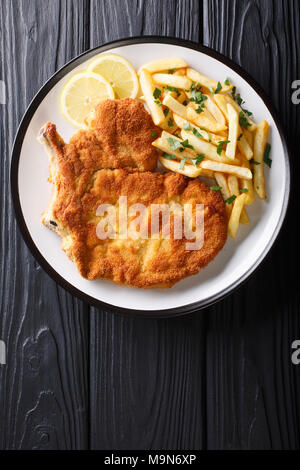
(206, 132)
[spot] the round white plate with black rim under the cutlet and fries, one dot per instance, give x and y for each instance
(239, 257)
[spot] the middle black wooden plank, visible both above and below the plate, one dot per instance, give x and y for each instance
(146, 375)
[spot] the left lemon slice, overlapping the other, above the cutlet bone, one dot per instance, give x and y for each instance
(81, 94)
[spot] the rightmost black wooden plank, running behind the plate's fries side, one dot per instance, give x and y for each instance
(253, 388)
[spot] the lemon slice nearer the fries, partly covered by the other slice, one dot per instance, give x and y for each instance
(118, 72)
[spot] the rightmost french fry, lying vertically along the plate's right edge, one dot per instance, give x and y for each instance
(260, 140)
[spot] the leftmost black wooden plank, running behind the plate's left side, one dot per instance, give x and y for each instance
(43, 386)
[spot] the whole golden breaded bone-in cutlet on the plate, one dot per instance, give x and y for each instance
(102, 164)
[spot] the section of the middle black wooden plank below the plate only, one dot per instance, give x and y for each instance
(146, 383)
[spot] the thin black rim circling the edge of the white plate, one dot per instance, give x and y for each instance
(15, 169)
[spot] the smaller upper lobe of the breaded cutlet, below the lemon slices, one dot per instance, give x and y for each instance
(120, 138)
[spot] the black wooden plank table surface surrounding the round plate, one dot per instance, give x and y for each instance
(77, 377)
